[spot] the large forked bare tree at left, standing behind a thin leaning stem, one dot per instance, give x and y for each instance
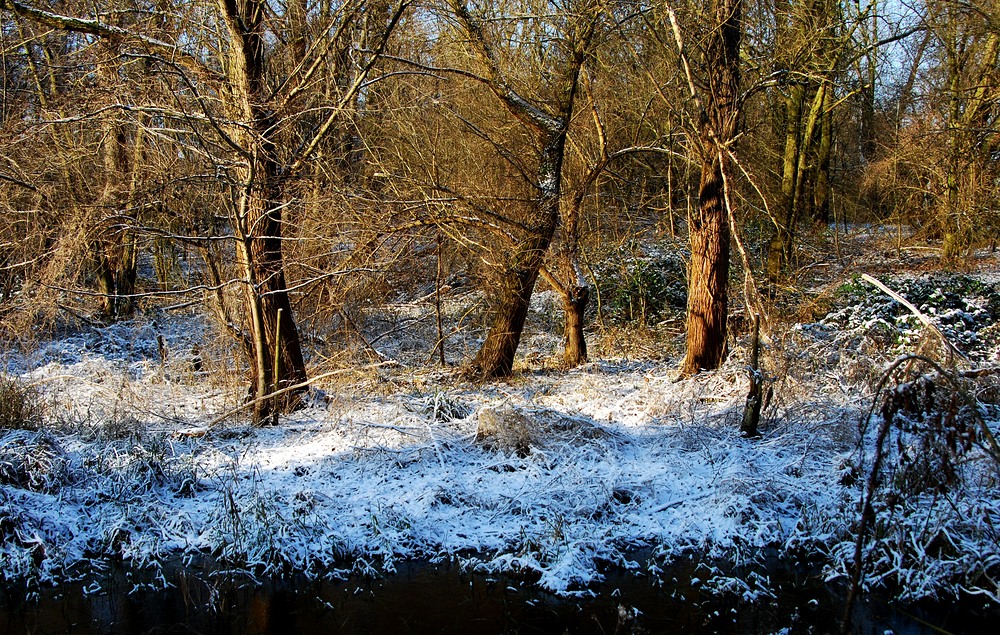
(254, 107)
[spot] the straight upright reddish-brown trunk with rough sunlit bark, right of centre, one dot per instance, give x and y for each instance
(708, 290)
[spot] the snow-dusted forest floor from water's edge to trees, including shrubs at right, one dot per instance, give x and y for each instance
(131, 447)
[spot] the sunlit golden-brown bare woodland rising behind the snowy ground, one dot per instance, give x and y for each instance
(311, 157)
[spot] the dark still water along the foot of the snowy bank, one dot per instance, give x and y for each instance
(422, 598)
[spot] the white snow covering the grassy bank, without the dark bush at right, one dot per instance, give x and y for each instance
(383, 465)
